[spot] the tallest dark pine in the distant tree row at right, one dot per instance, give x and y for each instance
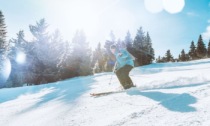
(201, 49)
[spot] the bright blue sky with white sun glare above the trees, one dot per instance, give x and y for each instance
(172, 24)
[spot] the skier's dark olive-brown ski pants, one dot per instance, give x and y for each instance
(123, 76)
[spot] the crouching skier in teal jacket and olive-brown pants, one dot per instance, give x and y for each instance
(124, 64)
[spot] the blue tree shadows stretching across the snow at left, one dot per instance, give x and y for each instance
(67, 92)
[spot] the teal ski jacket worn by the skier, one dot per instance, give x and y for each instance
(123, 57)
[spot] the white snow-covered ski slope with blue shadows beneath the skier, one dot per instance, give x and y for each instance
(168, 94)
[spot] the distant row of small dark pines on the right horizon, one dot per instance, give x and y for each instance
(196, 51)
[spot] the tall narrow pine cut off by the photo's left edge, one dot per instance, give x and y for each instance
(3, 42)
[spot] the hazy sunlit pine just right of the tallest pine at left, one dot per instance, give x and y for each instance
(58, 49)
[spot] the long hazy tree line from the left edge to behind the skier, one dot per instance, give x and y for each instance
(49, 58)
